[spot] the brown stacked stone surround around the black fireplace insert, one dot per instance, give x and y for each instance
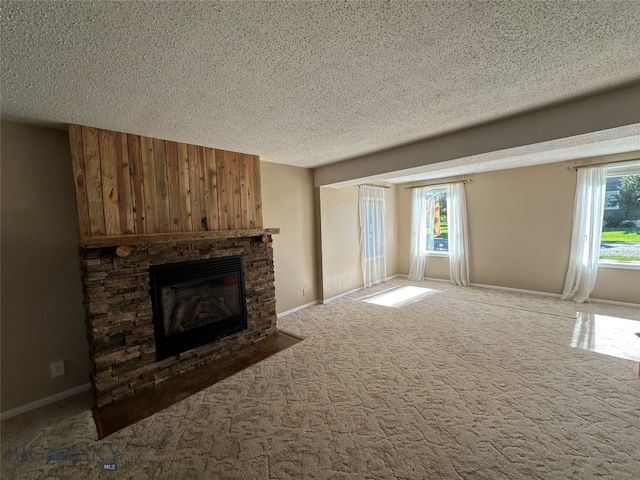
(119, 320)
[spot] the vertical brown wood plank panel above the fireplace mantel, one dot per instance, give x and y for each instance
(129, 184)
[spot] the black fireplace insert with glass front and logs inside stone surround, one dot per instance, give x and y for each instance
(196, 302)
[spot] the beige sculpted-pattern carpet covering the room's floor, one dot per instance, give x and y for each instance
(463, 383)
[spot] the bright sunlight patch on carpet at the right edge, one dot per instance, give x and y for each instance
(611, 336)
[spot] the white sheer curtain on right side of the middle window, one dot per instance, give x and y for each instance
(458, 238)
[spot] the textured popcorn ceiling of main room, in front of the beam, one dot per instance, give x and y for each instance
(306, 83)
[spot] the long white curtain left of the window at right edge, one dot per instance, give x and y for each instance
(585, 237)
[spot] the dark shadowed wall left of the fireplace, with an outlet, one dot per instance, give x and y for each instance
(42, 313)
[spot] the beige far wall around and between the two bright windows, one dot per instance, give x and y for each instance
(520, 233)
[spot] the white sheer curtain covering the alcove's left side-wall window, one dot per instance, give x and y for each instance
(372, 234)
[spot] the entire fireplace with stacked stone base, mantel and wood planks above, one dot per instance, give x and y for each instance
(177, 269)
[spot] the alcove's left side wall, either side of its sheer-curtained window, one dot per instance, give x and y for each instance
(340, 234)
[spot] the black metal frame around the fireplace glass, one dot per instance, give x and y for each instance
(175, 273)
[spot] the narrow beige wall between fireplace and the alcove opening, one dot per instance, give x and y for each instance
(288, 203)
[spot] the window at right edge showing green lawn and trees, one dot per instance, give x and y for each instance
(620, 240)
